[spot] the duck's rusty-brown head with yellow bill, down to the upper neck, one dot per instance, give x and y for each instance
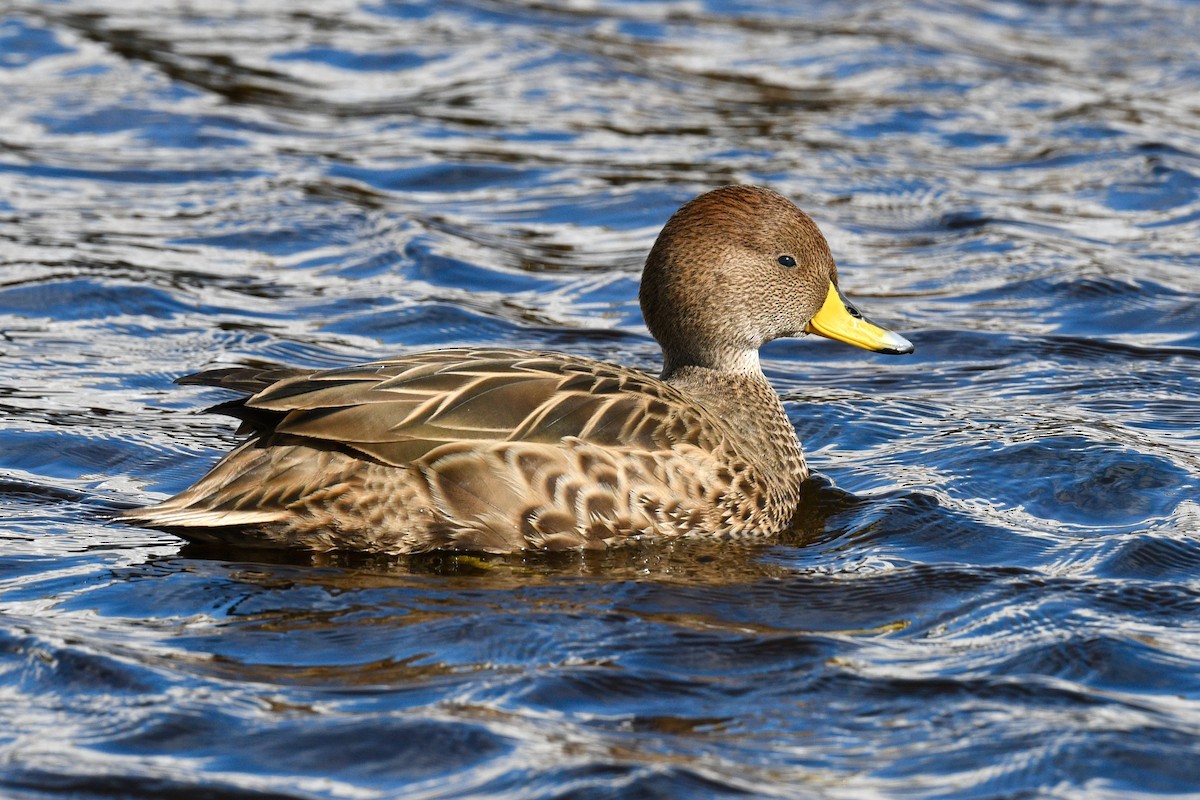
(737, 268)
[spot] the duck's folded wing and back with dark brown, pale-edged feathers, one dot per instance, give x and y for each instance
(397, 411)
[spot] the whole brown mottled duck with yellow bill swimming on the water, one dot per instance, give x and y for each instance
(503, 450)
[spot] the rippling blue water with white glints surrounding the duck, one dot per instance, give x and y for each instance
(992, 592)
